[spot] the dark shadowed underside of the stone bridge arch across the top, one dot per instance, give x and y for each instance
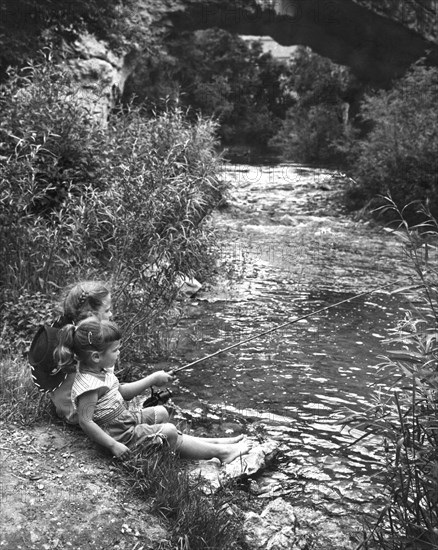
(376, 46)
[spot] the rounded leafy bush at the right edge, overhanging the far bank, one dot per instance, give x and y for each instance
(399, 154)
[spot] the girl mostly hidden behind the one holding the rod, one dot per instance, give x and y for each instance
(85, 299)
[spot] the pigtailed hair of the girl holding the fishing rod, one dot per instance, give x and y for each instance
(78, 341)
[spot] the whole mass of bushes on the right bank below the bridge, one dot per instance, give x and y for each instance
(386, 140)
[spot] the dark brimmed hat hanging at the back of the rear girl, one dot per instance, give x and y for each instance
(44, 370)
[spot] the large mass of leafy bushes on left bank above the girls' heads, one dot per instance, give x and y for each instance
(127, 203)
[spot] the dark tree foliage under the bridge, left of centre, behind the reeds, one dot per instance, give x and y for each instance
(217, 74)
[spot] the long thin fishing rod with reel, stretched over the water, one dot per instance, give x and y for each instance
(164, 395)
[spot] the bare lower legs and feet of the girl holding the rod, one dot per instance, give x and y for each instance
(200, 449)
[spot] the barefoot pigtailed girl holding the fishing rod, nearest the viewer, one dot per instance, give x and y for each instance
(100, 399)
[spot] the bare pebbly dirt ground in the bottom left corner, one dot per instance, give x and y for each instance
(60, 492)
